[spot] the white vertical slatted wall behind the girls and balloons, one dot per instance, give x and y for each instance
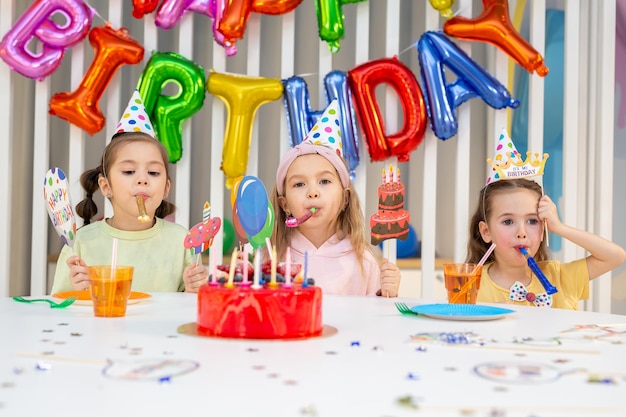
(442, 178)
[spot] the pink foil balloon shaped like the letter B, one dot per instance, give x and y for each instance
(55, 38)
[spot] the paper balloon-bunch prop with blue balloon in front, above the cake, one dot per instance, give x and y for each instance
(252, 210)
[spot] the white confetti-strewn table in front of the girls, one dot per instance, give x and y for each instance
(54, 361)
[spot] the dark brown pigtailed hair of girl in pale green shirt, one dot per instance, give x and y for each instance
(87, 208)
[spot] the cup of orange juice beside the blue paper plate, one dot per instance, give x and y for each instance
(462, 282)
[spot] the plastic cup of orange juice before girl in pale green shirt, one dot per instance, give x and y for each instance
(110, 289)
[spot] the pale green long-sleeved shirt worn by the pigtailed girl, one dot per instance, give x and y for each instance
(158, 255)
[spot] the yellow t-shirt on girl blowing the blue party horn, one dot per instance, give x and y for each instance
(571, 280)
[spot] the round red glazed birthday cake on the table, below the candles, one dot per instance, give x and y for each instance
(271, 311)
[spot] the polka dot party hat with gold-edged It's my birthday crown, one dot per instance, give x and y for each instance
(508, 163)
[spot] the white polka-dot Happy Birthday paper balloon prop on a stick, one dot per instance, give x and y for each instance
(56, 194)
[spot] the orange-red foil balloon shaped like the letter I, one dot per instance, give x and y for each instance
(112, 49)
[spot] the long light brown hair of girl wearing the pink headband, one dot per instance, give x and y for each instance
(350, 221)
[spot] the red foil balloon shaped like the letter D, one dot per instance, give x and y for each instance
(363, 81)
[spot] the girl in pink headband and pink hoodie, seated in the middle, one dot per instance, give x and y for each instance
(319, 217)
